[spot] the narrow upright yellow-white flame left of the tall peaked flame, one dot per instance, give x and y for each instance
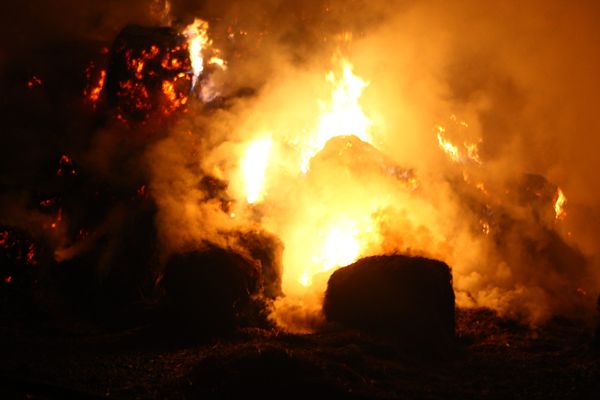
(254, 166)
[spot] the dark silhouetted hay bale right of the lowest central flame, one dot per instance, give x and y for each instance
(409, 298)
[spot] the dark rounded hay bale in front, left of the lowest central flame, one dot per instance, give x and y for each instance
(209, 290)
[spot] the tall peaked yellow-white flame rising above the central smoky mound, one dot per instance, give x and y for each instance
(344, 115)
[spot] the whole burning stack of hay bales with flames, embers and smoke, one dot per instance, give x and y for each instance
(243, 212)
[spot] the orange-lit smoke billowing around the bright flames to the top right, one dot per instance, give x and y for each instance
(496, 67)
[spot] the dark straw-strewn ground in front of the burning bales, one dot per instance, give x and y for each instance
(493, 359)
